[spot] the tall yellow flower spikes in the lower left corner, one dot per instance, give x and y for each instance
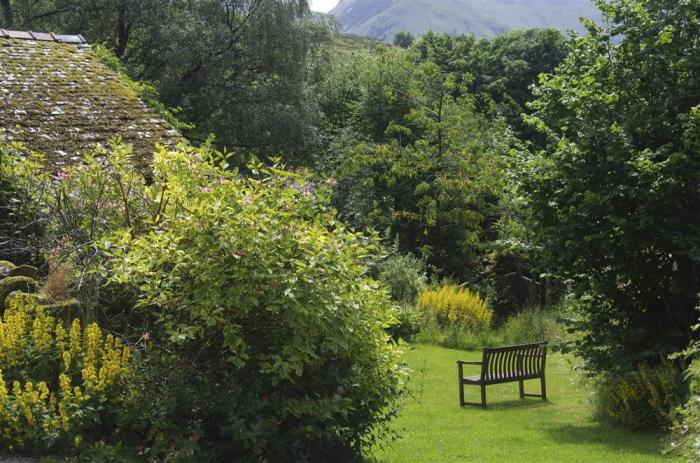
(59, 387)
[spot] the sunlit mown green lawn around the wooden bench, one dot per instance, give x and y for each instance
(434, 428)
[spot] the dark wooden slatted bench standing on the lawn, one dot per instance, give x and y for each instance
(505, 365)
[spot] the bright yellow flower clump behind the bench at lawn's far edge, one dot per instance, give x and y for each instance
(451, 304)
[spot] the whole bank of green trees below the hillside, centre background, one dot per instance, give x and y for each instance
(418, 149)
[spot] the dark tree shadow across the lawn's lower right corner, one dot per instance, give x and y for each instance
(603, 434)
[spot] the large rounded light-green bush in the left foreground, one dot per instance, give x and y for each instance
(271, 337)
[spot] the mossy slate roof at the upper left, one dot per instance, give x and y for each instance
(57, 98)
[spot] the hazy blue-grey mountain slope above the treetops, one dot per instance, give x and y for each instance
(484, 18)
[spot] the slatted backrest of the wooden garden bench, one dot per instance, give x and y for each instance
(512, 362)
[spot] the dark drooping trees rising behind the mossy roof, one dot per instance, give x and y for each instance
(236, 68)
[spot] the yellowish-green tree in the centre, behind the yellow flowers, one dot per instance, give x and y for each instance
(436, 181)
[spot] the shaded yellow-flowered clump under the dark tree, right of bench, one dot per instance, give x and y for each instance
(642, 399)
